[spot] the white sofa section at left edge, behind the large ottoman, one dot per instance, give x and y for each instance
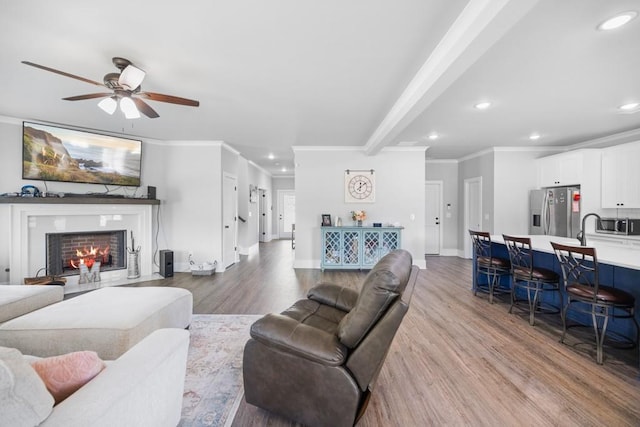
(16, 300)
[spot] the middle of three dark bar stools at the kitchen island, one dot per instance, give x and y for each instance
(533, 280)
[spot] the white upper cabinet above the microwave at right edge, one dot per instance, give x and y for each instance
(620, 176)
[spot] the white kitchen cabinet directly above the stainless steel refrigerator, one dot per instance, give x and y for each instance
(560, 169)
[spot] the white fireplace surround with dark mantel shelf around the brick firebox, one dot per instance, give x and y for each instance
(32, 219)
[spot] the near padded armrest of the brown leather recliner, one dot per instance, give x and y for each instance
(289, 335)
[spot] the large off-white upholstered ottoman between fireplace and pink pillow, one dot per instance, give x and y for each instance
(108, 321)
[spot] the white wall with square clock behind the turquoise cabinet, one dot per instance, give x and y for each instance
(319, 186)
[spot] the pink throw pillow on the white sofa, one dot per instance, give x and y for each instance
(65, 374)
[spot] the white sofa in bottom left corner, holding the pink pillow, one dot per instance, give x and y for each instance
(143, 387)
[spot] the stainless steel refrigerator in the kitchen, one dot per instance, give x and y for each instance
(555, 211)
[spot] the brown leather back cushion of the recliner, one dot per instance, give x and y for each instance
(384, 283)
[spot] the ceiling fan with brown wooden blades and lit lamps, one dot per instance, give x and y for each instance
(125, 90)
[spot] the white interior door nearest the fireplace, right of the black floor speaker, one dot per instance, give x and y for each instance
(229, 220)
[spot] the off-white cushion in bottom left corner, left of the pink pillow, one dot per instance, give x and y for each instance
(24, 398)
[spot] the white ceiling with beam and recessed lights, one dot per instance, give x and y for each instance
(274, 74)
